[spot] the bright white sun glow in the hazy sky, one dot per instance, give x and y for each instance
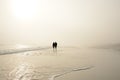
(24, 9)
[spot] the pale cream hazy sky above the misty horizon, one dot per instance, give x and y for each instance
(69, 22)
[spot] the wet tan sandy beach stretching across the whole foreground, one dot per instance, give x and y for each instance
(68, 63)
